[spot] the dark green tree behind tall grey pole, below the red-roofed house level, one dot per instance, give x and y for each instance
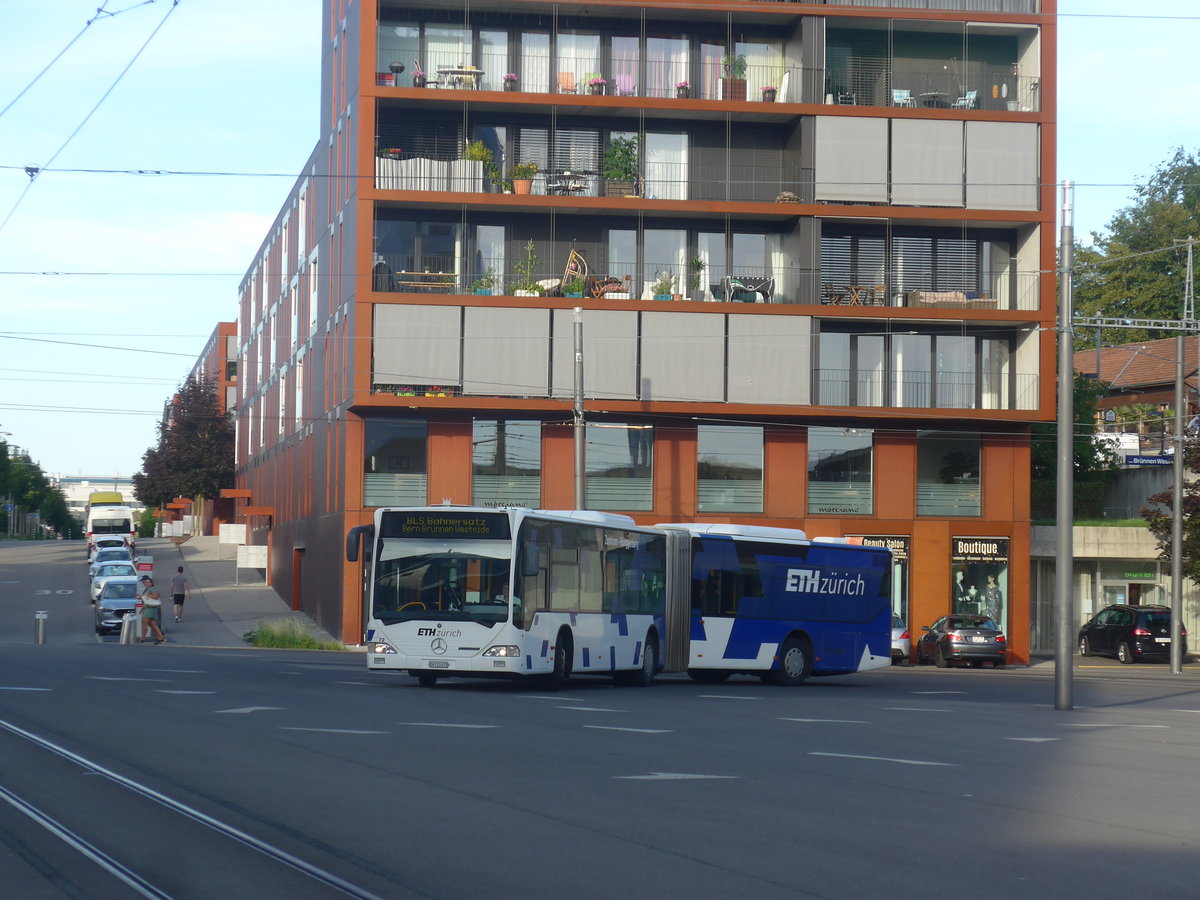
(1095, 466)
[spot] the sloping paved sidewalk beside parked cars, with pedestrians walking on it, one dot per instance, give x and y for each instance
(220, 613)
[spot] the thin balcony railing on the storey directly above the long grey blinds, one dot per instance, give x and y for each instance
(405, 273)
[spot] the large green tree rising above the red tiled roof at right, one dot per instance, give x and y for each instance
(1113, 278)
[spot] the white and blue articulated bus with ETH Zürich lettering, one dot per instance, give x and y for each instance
(475, 592)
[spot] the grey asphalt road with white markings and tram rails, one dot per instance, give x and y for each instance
(218, 772)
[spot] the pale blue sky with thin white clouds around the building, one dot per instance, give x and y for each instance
(111, 284)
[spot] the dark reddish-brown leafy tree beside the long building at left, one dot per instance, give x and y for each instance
(195, 454)
